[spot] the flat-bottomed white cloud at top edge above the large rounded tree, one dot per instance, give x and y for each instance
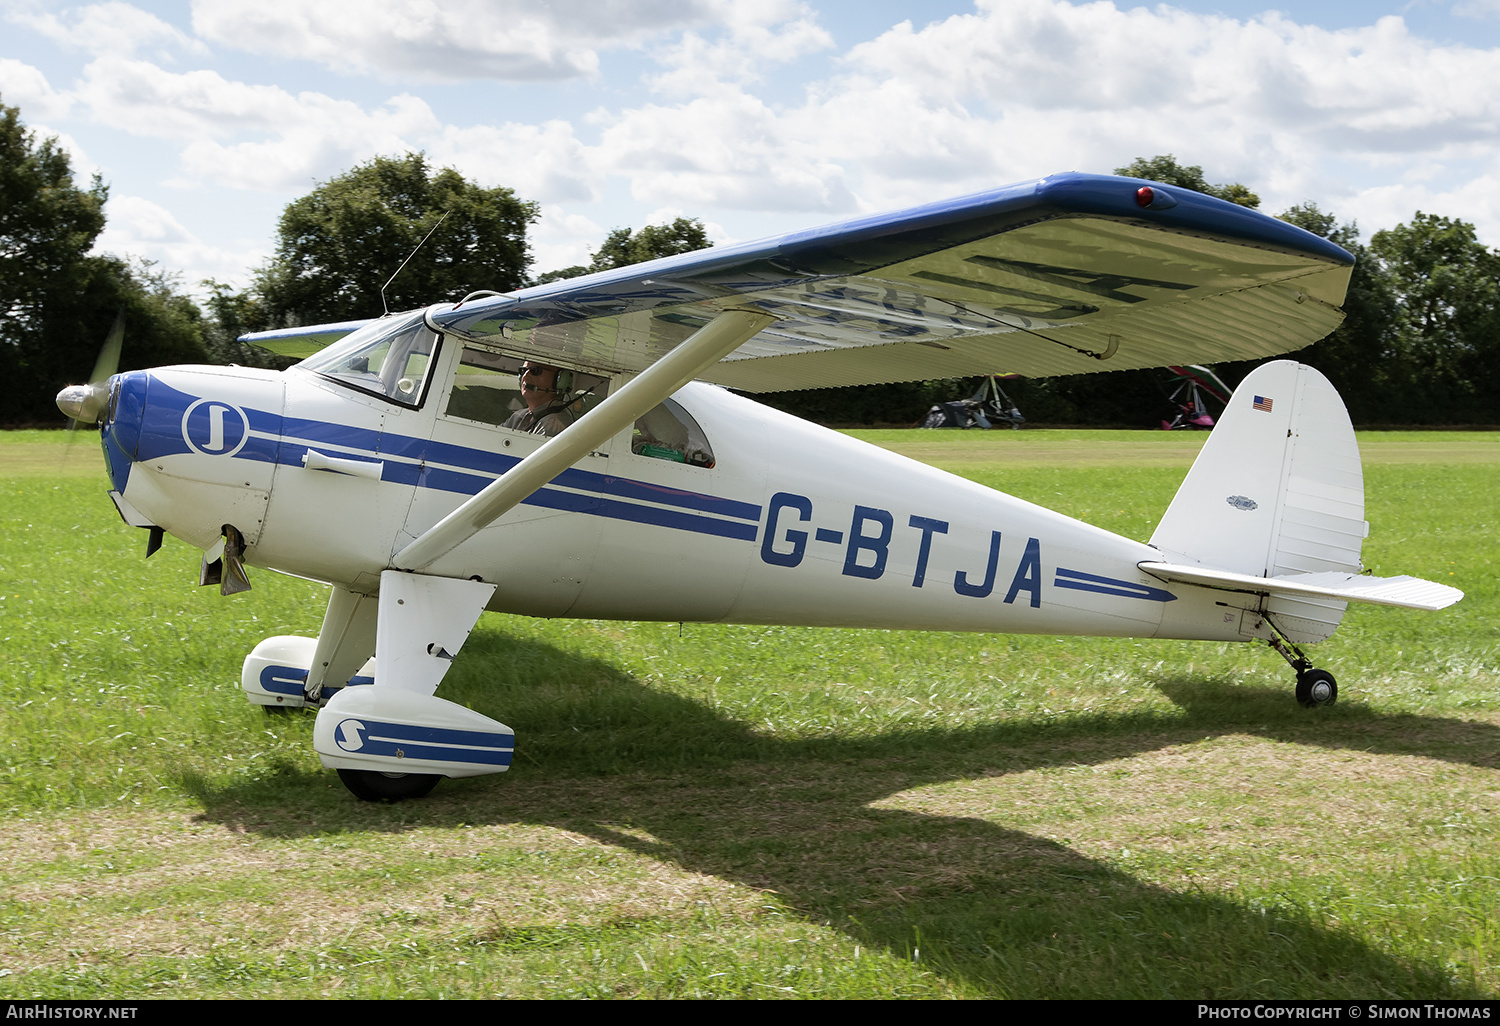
(449, 41)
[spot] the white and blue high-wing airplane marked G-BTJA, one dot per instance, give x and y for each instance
(397, 463)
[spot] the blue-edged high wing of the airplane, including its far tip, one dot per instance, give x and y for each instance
(1066, 275)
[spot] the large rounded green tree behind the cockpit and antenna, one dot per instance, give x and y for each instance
(338, 245)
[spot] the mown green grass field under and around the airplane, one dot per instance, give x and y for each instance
(764, 812)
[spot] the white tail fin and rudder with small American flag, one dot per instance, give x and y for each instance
(1279, 490)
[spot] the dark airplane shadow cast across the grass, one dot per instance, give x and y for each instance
(998, 911)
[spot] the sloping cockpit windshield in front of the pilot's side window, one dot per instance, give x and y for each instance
(389, 358)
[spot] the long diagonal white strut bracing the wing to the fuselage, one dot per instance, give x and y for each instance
(706, 347)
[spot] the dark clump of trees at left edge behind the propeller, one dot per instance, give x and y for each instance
(58, 299)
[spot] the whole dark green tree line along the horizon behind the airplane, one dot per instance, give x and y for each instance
(1420, 343)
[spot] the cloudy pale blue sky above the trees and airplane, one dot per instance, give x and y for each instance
(208, 118)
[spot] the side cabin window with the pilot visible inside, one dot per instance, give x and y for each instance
(523, 395)
